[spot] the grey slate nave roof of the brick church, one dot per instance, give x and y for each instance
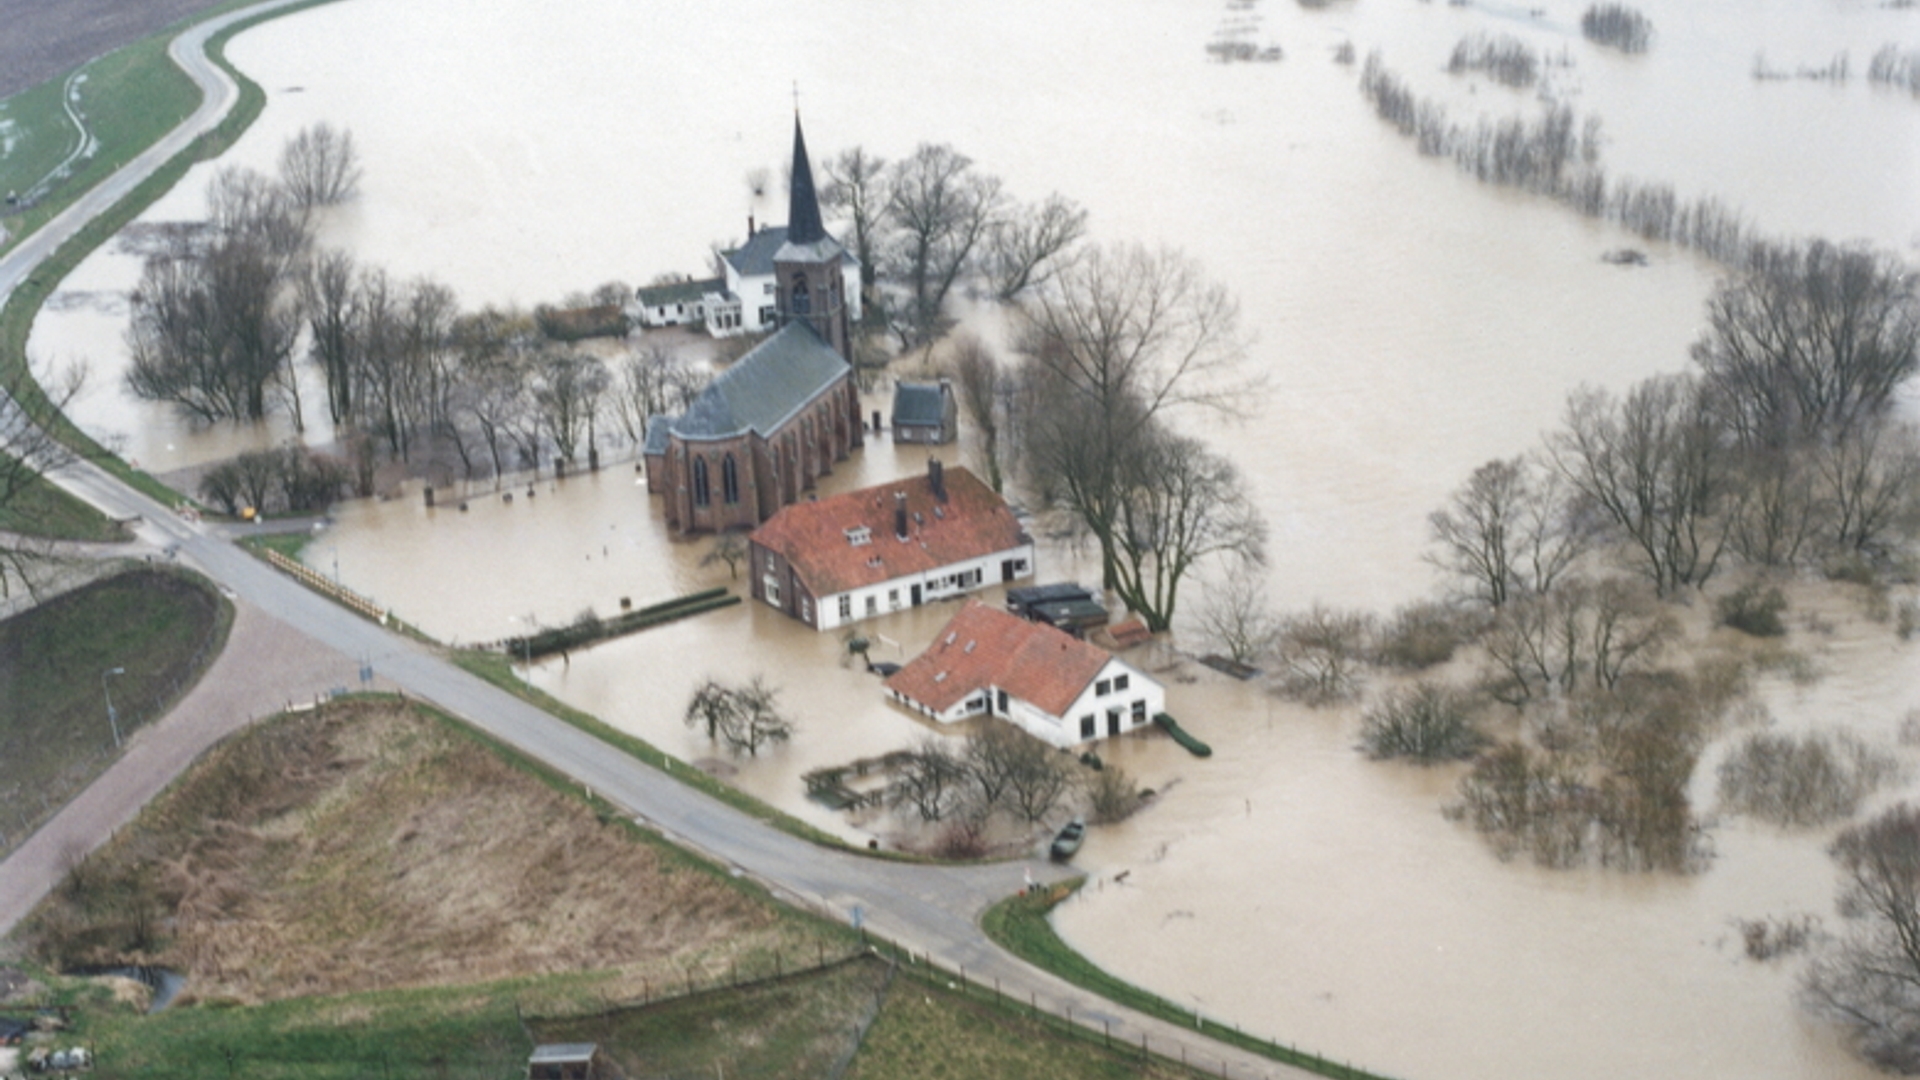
(765, 387)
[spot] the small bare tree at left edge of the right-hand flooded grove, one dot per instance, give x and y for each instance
(1508, 531)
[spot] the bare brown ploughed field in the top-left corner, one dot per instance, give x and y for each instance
(41, 39)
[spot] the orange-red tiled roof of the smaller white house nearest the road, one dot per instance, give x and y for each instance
(984, 647)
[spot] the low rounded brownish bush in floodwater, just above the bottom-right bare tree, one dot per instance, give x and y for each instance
(1802, 781)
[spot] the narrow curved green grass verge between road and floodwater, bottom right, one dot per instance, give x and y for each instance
(1022, 929)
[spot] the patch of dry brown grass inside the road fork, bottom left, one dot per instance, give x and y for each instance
(372, 847)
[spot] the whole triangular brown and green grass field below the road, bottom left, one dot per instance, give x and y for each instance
(375, 891)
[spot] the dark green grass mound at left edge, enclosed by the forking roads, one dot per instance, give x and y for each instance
(162, 627)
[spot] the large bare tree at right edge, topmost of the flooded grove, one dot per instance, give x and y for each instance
(1810, 343)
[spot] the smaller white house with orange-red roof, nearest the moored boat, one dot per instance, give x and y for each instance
(1055, 687)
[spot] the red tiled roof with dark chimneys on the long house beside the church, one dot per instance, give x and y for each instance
(815, 535)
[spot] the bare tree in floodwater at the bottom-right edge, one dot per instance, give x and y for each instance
(1871, 979)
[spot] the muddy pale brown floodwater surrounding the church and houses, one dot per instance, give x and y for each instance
(1410, 326)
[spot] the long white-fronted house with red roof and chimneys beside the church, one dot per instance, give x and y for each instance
(886, 549)
